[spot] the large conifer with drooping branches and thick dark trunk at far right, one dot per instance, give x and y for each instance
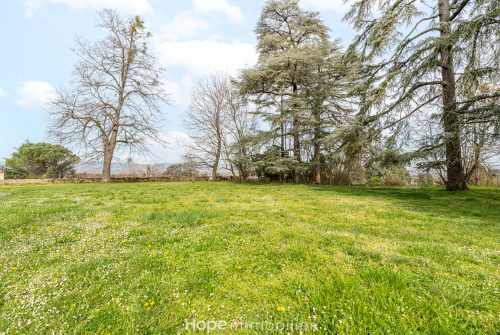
(427, 57)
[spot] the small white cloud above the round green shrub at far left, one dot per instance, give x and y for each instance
(35, 94)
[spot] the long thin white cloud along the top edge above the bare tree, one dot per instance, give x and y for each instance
(124, 6)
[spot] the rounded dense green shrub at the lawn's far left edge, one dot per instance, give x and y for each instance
(36, 160)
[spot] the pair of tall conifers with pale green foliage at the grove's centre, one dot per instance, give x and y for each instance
(295, 85)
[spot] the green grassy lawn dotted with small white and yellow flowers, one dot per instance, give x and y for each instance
(143, 258)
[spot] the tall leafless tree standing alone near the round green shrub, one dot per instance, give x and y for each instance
(117, 94)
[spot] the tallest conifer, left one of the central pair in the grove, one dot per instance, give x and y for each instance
(287, 37)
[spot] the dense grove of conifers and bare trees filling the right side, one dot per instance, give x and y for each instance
(415, 87)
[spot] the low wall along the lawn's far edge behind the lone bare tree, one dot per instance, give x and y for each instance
(98, 180)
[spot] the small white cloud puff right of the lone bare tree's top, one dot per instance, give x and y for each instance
(184, 25)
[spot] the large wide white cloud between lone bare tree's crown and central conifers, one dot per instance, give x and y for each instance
(202, 57)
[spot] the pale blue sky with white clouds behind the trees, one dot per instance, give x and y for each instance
(190, 38)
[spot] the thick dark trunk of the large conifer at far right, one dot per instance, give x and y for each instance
(455, 172)
